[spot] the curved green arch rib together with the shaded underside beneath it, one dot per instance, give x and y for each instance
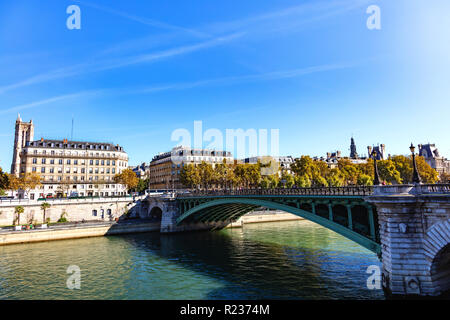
(231, 209)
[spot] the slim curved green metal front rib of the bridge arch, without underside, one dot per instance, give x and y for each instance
(346, 232)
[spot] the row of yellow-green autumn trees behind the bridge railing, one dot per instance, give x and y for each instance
(306, 172)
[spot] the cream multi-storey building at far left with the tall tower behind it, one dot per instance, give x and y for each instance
(68, 167)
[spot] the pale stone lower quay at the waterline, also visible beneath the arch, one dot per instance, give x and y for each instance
(98, 229)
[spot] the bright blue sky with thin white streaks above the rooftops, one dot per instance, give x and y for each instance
(136, 71)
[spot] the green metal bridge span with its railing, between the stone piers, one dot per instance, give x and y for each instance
(342, 210)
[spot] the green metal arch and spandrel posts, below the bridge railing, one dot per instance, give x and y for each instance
(354, 221)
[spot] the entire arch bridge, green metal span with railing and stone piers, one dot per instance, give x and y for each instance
(407, 226)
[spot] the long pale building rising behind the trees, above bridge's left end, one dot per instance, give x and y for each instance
(165, 168)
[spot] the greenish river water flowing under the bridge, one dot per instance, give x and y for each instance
(283, 260)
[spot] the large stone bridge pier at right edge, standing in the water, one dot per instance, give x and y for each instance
(414, 224)
